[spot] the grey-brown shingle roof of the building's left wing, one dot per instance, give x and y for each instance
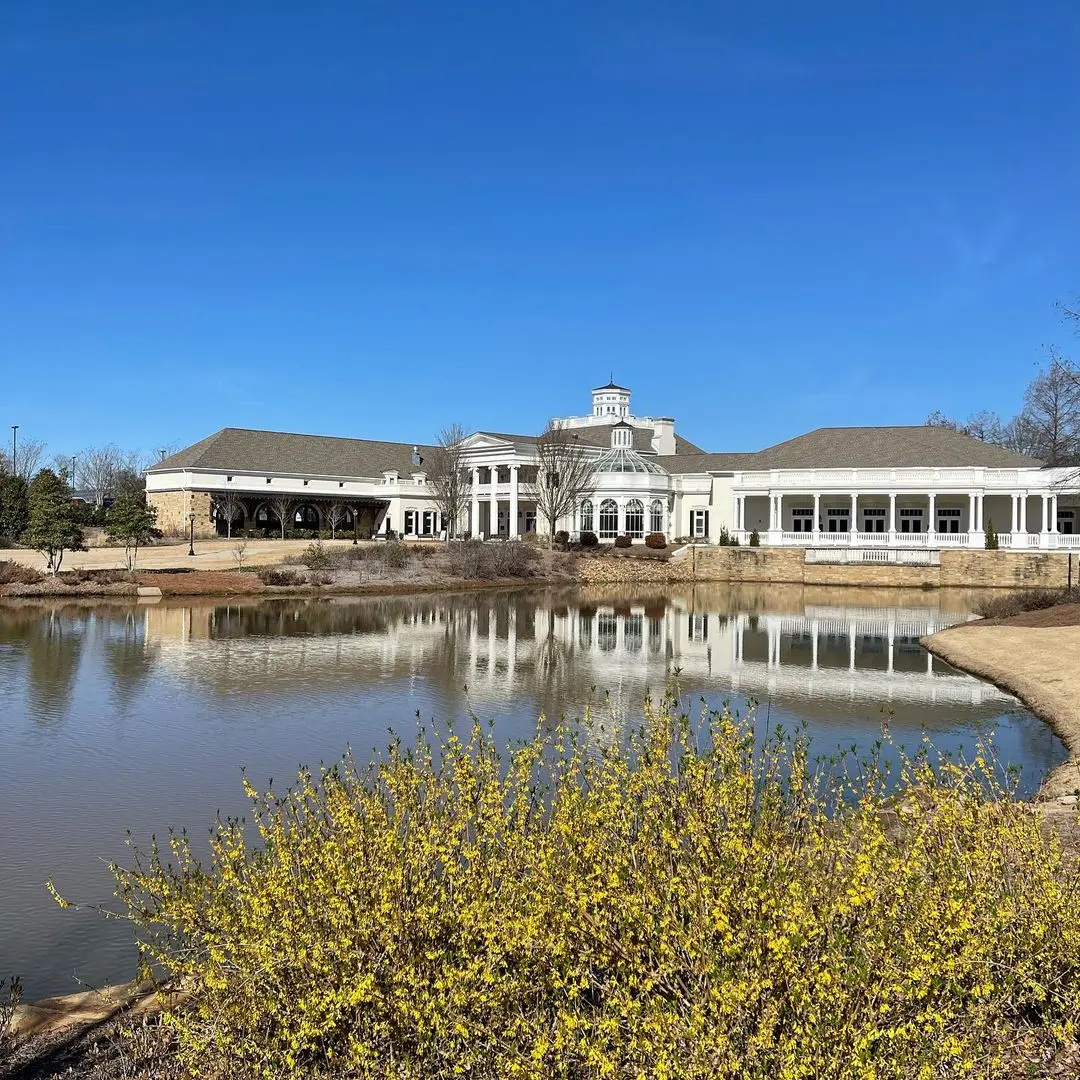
(273, 453)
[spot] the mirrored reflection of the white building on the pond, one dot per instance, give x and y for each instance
(552, 650)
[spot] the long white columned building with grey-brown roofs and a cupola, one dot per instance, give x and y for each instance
(886, 490)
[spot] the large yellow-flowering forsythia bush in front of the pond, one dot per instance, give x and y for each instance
(684, 906)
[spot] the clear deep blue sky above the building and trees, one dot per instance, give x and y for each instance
(374, 219)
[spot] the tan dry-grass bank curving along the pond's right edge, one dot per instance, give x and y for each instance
(1038, 664)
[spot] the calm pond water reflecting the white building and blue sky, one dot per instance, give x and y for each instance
(116, 718)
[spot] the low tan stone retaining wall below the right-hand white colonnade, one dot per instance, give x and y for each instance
(966, 570)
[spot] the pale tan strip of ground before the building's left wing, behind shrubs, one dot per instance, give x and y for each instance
(210, 556)
